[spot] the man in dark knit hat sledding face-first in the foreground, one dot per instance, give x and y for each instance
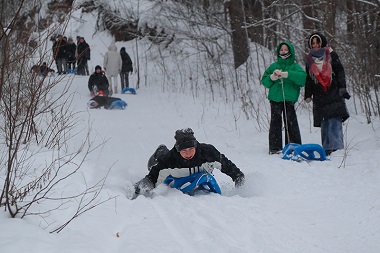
(187, 157)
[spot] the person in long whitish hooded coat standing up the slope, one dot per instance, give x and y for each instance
(112, 65)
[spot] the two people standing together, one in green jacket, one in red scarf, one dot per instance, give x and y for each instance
(325, 84)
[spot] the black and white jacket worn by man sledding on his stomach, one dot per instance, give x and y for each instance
(173, 164)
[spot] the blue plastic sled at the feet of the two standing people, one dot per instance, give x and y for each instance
(297, 152)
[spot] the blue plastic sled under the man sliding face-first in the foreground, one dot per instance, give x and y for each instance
(193, 182)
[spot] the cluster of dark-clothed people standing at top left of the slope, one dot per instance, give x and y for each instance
(71, 57)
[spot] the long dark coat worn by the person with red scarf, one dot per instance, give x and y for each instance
(328, 104)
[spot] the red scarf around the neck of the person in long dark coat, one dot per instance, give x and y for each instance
(321, 75)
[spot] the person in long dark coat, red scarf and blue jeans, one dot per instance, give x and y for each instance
(326, 87)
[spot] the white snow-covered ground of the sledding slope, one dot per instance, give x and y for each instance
(285, 206)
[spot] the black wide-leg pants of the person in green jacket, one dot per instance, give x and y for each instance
(292, 131)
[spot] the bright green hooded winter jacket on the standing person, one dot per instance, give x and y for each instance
(296, 78)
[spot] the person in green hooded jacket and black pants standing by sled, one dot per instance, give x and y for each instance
(283, 78)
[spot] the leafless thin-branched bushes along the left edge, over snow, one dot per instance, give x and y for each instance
(37, 124)
